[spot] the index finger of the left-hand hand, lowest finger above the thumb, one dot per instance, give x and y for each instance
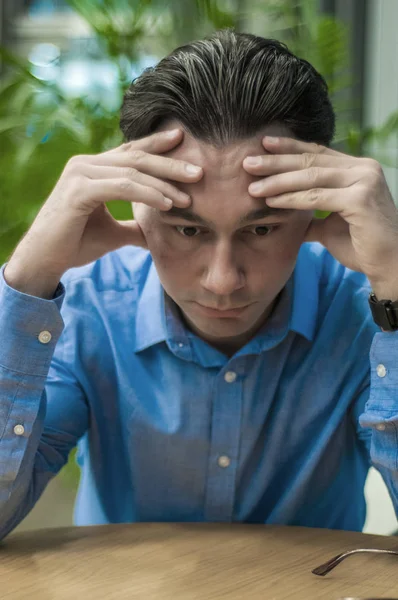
(106, 190)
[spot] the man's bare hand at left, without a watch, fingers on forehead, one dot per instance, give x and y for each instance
(74, 227)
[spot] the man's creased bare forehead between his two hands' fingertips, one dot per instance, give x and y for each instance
(222, 193)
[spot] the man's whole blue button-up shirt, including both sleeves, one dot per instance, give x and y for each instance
(169, 428)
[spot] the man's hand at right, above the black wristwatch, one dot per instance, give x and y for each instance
(362, 230)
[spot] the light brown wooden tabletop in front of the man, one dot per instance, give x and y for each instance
(167, 561)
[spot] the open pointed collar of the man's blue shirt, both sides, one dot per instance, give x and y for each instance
(158, 318)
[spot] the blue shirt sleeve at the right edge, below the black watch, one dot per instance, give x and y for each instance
(377, 410)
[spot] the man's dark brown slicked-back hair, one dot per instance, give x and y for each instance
(228, 87)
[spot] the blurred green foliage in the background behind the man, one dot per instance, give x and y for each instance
(41, 127)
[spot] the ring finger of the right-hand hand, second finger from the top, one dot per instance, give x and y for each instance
(275, 163)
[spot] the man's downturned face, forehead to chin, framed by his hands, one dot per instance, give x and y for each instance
(218, 257)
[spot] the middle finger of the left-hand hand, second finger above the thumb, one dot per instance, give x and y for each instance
(112, 172)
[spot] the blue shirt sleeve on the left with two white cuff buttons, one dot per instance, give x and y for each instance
(43, 410)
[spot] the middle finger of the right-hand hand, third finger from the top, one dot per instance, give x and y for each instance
(314, 177)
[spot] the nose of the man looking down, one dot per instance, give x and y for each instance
(223, 275)
